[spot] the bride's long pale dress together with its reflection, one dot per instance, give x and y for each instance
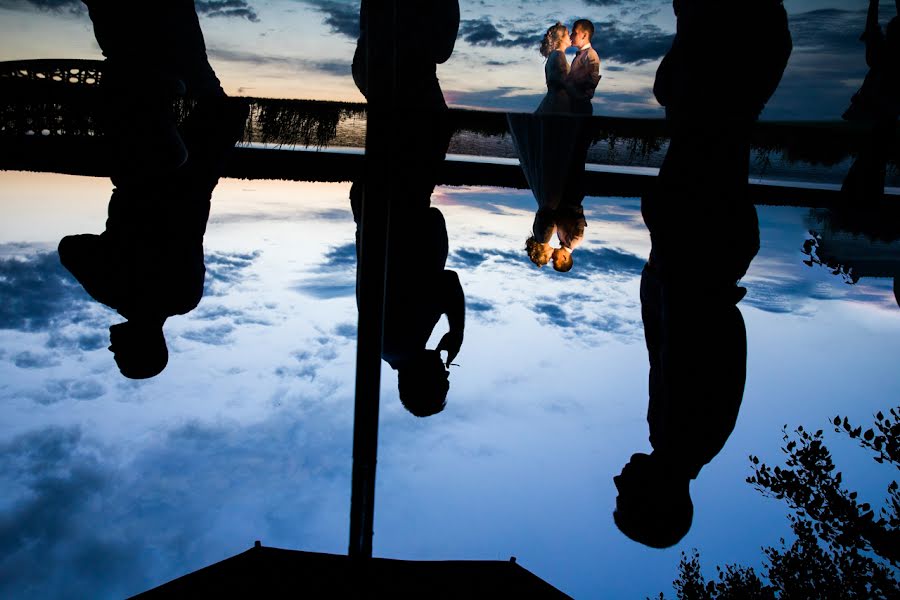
(545, 142)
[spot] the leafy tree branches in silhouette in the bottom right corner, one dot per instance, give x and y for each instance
(842, 548)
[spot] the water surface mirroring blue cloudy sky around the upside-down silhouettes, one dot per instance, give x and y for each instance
(112, 486)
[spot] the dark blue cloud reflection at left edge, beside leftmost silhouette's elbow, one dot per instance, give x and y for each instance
(36, 291)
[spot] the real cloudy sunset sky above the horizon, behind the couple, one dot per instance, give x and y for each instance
(303, 49)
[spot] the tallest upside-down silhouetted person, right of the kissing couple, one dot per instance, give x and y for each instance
(704, 232)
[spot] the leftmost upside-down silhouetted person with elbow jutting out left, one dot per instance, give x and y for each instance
(148, 263)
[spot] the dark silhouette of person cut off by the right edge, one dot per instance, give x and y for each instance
(877, 106)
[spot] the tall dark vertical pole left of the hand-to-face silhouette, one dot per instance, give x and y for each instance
(381, 28)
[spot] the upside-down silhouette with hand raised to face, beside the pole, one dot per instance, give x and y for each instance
(418, 287)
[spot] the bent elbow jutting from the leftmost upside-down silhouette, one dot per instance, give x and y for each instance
(86, 257)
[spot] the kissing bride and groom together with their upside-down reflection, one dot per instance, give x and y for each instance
(552, 143)
